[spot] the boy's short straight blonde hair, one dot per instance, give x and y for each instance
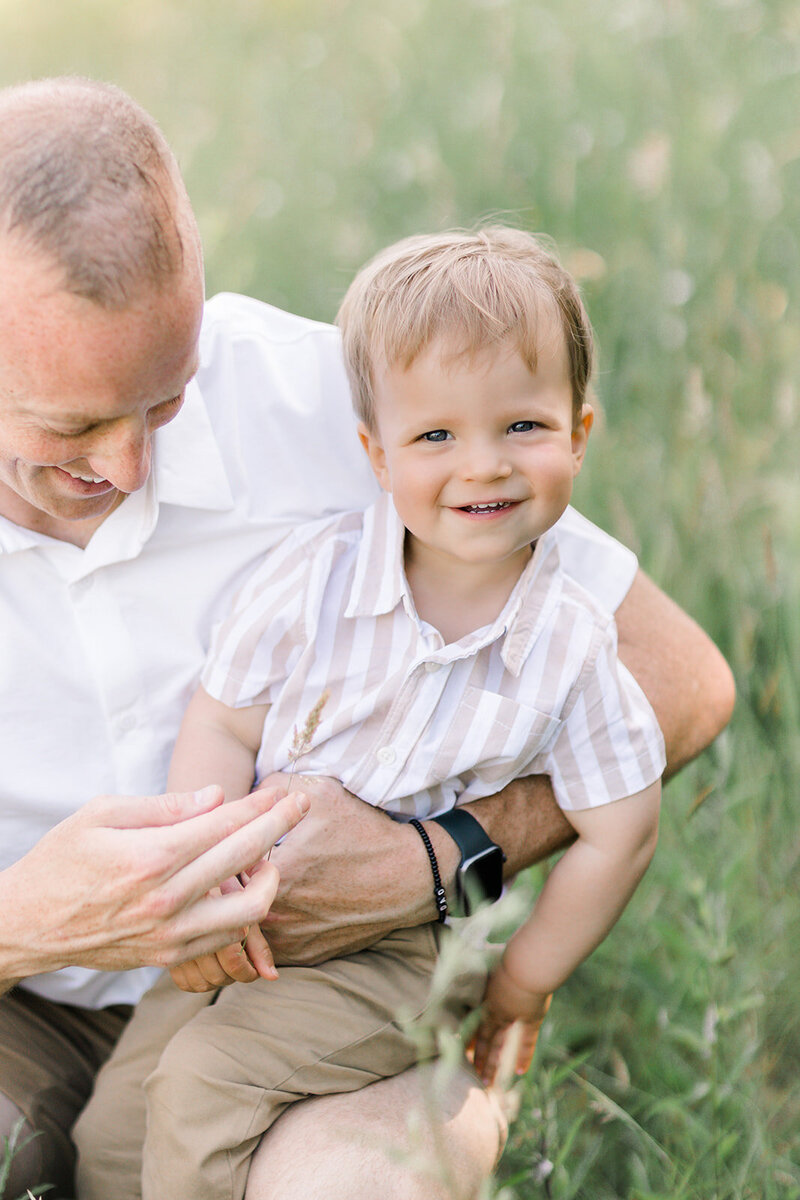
(476, 290)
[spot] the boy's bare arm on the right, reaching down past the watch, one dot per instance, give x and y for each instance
(582, 899)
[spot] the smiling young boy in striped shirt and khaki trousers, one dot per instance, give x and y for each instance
(456, 657)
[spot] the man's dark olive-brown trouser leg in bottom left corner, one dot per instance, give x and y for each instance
(50, 1055)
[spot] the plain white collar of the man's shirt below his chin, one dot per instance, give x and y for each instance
(188, 472)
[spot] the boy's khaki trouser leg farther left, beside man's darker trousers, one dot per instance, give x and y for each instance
(110, 1132)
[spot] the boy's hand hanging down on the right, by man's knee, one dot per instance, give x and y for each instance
(512, 1015)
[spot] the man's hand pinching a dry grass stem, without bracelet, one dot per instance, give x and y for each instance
(125, 883)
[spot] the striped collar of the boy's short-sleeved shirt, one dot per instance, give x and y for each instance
(380, 585)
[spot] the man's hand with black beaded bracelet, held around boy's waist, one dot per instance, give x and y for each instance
(350, 875)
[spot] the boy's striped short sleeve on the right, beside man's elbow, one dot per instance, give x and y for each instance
(610, 745)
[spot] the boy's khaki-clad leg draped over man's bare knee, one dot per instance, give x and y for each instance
(227, 1077)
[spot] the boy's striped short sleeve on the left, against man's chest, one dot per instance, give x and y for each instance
(256, 647)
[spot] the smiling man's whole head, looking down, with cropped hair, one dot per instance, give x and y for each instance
(101, 295)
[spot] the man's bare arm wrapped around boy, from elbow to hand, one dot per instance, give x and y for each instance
(350, 874)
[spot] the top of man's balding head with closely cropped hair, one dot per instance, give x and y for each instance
(88, 179)
